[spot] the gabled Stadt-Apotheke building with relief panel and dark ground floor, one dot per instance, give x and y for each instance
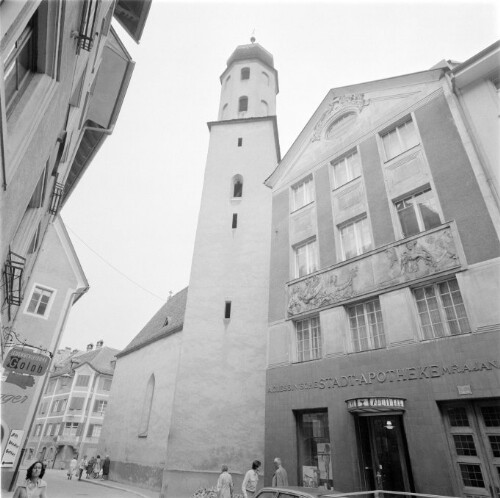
(384, 325)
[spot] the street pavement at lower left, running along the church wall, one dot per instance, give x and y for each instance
(59, 486)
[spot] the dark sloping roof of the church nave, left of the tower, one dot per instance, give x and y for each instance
(157, 327)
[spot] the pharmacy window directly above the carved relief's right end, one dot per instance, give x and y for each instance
(418, 212)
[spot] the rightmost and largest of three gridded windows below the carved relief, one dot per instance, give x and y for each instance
(441, 310)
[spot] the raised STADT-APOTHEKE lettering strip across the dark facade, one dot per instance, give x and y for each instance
(406, 374)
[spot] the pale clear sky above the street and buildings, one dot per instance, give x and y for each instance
(133, 216)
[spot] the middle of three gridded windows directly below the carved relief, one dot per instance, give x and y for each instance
(366, 326)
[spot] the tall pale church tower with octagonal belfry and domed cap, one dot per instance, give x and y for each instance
(218, 406)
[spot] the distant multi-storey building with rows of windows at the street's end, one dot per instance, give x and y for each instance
(72, 409)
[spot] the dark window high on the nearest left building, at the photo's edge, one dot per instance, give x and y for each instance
(19, 66)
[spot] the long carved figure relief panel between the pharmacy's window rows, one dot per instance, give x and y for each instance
(405, 261)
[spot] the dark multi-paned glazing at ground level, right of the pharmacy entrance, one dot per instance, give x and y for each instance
(473, 430)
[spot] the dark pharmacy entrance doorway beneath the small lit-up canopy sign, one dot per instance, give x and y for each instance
(384, 455)
